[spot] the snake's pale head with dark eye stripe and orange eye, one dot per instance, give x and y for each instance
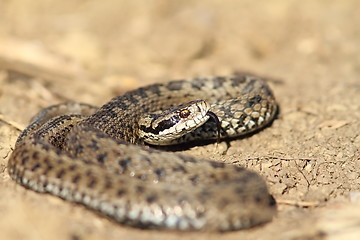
(164, 127)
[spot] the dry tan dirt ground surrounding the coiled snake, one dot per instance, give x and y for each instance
(90, 51)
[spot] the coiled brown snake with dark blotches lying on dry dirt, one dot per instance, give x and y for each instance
(114, 159)
